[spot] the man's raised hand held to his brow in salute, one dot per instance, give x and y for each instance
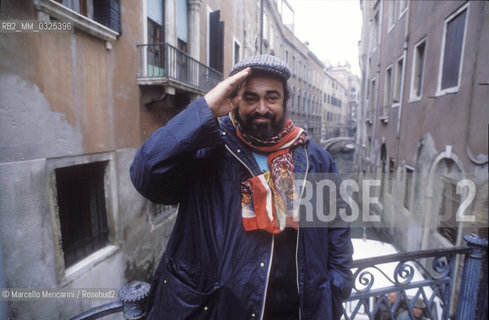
(218, 98)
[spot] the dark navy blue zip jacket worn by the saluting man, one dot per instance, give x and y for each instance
(212, 268)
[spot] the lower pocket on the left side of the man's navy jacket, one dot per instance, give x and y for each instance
(175, 300)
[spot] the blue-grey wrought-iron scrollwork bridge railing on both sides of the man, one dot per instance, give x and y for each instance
(433, 290)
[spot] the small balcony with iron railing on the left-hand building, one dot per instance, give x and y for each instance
(163, 64)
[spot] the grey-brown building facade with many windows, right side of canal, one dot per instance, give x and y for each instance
(424, 118)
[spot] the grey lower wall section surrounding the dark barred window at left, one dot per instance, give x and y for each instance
(30, 245)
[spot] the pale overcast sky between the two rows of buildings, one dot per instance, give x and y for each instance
(332, 28)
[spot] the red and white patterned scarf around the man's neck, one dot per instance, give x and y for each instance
(269, 201)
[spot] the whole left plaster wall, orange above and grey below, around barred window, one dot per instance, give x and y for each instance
(65, 100)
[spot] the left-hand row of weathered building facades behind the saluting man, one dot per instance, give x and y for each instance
(76, 106)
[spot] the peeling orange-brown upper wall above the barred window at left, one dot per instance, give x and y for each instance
(78, 81)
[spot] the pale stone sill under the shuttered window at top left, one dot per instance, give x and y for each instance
(81, 22)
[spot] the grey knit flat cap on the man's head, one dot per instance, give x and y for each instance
(265, 63)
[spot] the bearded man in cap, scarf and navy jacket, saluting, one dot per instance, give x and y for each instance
(238, 249)
